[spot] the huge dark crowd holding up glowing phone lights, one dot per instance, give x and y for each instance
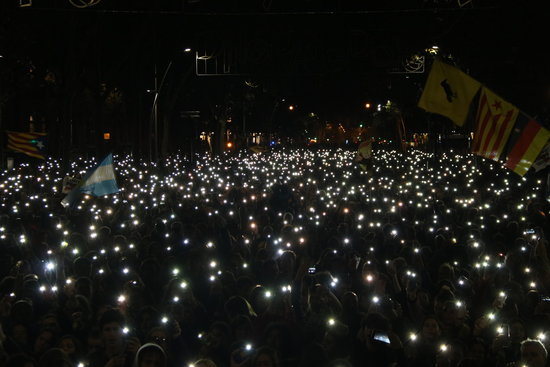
(287, 258)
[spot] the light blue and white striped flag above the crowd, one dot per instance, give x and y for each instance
(98, 182)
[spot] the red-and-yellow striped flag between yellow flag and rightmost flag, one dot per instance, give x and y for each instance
(494, 121)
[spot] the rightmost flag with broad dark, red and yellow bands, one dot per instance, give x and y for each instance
(524, 145)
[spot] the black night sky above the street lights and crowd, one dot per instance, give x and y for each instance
(329, 57)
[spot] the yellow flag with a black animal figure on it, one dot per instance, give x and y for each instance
(448, 92)
